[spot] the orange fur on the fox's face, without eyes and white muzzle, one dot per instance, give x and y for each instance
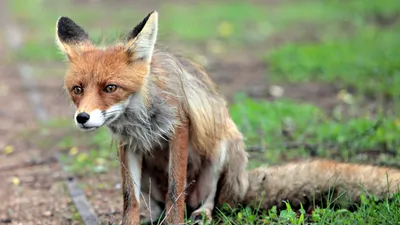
(85, 71)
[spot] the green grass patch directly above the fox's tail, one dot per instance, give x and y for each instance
(264, 122)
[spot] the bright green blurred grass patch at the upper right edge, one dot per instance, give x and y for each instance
(368, 53)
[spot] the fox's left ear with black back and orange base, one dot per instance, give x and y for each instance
(71, 38)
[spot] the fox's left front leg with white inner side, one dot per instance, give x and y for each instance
(131, 166)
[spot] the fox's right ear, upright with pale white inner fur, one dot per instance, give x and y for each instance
(142, 38)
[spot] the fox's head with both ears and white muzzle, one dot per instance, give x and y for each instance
(101, 80)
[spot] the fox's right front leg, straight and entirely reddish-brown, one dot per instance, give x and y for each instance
(178, 159)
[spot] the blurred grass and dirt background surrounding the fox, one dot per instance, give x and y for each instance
(304, 78)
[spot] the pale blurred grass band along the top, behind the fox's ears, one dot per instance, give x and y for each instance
(233, 24)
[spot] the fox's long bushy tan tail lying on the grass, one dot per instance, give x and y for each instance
(318, 182)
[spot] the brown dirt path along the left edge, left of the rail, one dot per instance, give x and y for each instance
(32, 185)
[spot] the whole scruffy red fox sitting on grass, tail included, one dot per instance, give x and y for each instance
(178, 145)
